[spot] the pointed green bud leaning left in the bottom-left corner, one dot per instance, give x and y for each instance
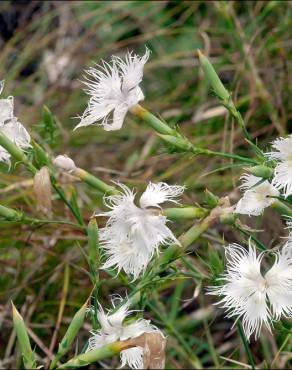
(23, 340)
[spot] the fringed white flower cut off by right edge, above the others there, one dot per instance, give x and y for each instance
(283, 171)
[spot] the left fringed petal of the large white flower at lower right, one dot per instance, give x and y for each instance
(243, 292)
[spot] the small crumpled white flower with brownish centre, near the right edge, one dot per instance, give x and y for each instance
(256, 197)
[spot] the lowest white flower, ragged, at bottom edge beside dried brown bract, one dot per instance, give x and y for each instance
(113, 328)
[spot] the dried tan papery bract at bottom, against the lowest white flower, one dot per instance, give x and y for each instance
(153, 345)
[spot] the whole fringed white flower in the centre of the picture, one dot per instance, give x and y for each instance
(132, 234)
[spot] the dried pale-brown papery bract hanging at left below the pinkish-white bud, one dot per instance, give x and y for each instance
(43, 191)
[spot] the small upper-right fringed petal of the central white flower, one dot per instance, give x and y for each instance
(155, 194)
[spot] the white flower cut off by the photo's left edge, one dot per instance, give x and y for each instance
(10, 127)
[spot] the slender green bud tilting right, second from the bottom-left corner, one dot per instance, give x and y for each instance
(70, 335)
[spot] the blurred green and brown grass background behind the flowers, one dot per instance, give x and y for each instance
(44, 48)
